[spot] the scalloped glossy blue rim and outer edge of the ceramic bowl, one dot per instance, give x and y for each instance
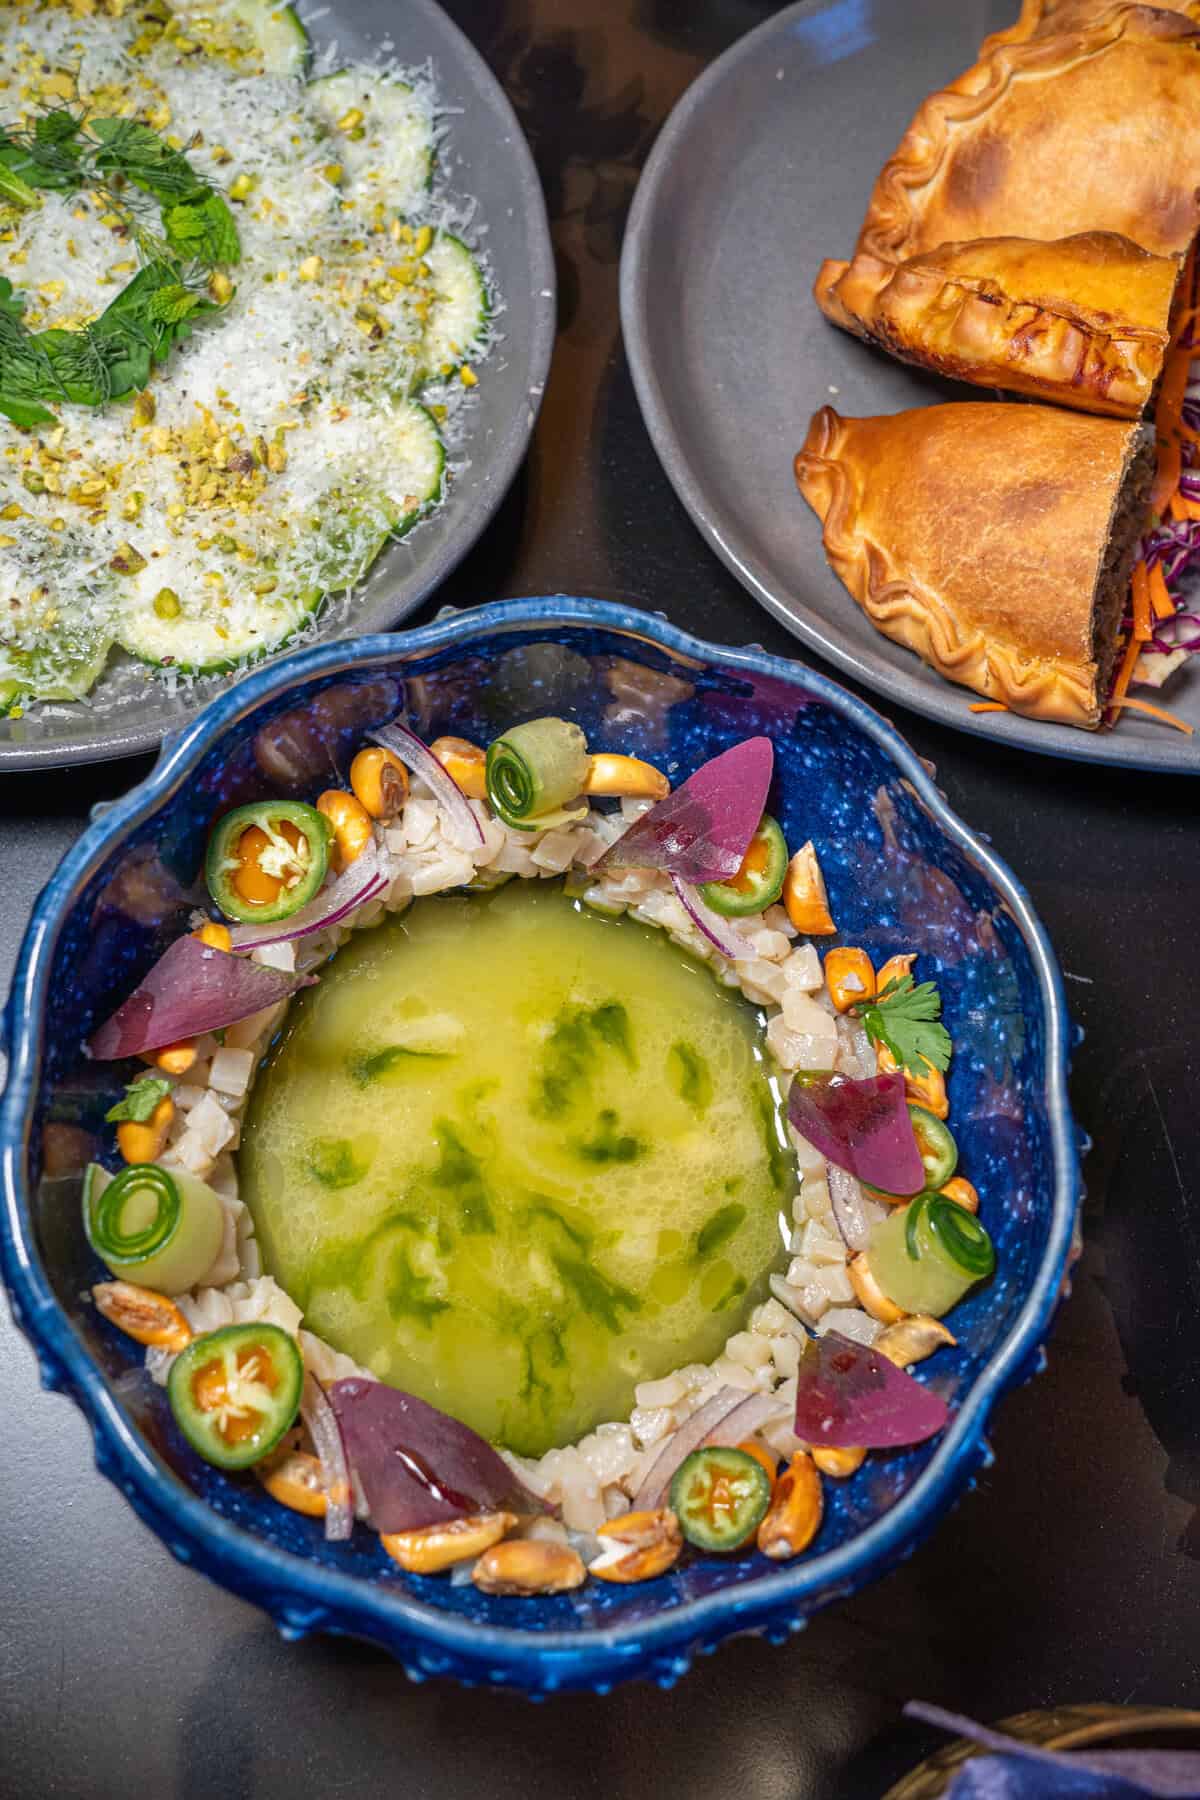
(303, 1596)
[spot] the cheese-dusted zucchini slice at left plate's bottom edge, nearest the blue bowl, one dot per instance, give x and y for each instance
(206, 638)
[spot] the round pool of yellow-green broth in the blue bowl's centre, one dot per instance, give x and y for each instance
(517, 1158)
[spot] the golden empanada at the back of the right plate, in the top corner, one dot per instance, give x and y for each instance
(1095, 127)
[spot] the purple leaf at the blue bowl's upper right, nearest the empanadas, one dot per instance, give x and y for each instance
(703, 831)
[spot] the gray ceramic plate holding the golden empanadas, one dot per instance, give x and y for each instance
(764, 170)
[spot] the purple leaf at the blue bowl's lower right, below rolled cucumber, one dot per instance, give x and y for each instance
(850, 1396)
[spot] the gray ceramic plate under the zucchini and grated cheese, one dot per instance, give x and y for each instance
(487, 157)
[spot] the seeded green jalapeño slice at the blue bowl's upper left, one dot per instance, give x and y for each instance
(267, 861)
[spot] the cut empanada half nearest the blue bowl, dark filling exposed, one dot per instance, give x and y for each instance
(994, 541)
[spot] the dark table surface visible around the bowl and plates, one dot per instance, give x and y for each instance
(1071, 1574)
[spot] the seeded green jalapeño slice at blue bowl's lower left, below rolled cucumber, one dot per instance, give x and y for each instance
(237, 1392)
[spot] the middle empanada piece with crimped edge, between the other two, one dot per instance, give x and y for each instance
(1084, 321)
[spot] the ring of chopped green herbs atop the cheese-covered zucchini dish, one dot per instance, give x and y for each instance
(116, 354)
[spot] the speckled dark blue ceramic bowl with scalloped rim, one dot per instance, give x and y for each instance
(902, 872)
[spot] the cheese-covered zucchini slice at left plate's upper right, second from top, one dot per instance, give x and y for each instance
(388, 143)
